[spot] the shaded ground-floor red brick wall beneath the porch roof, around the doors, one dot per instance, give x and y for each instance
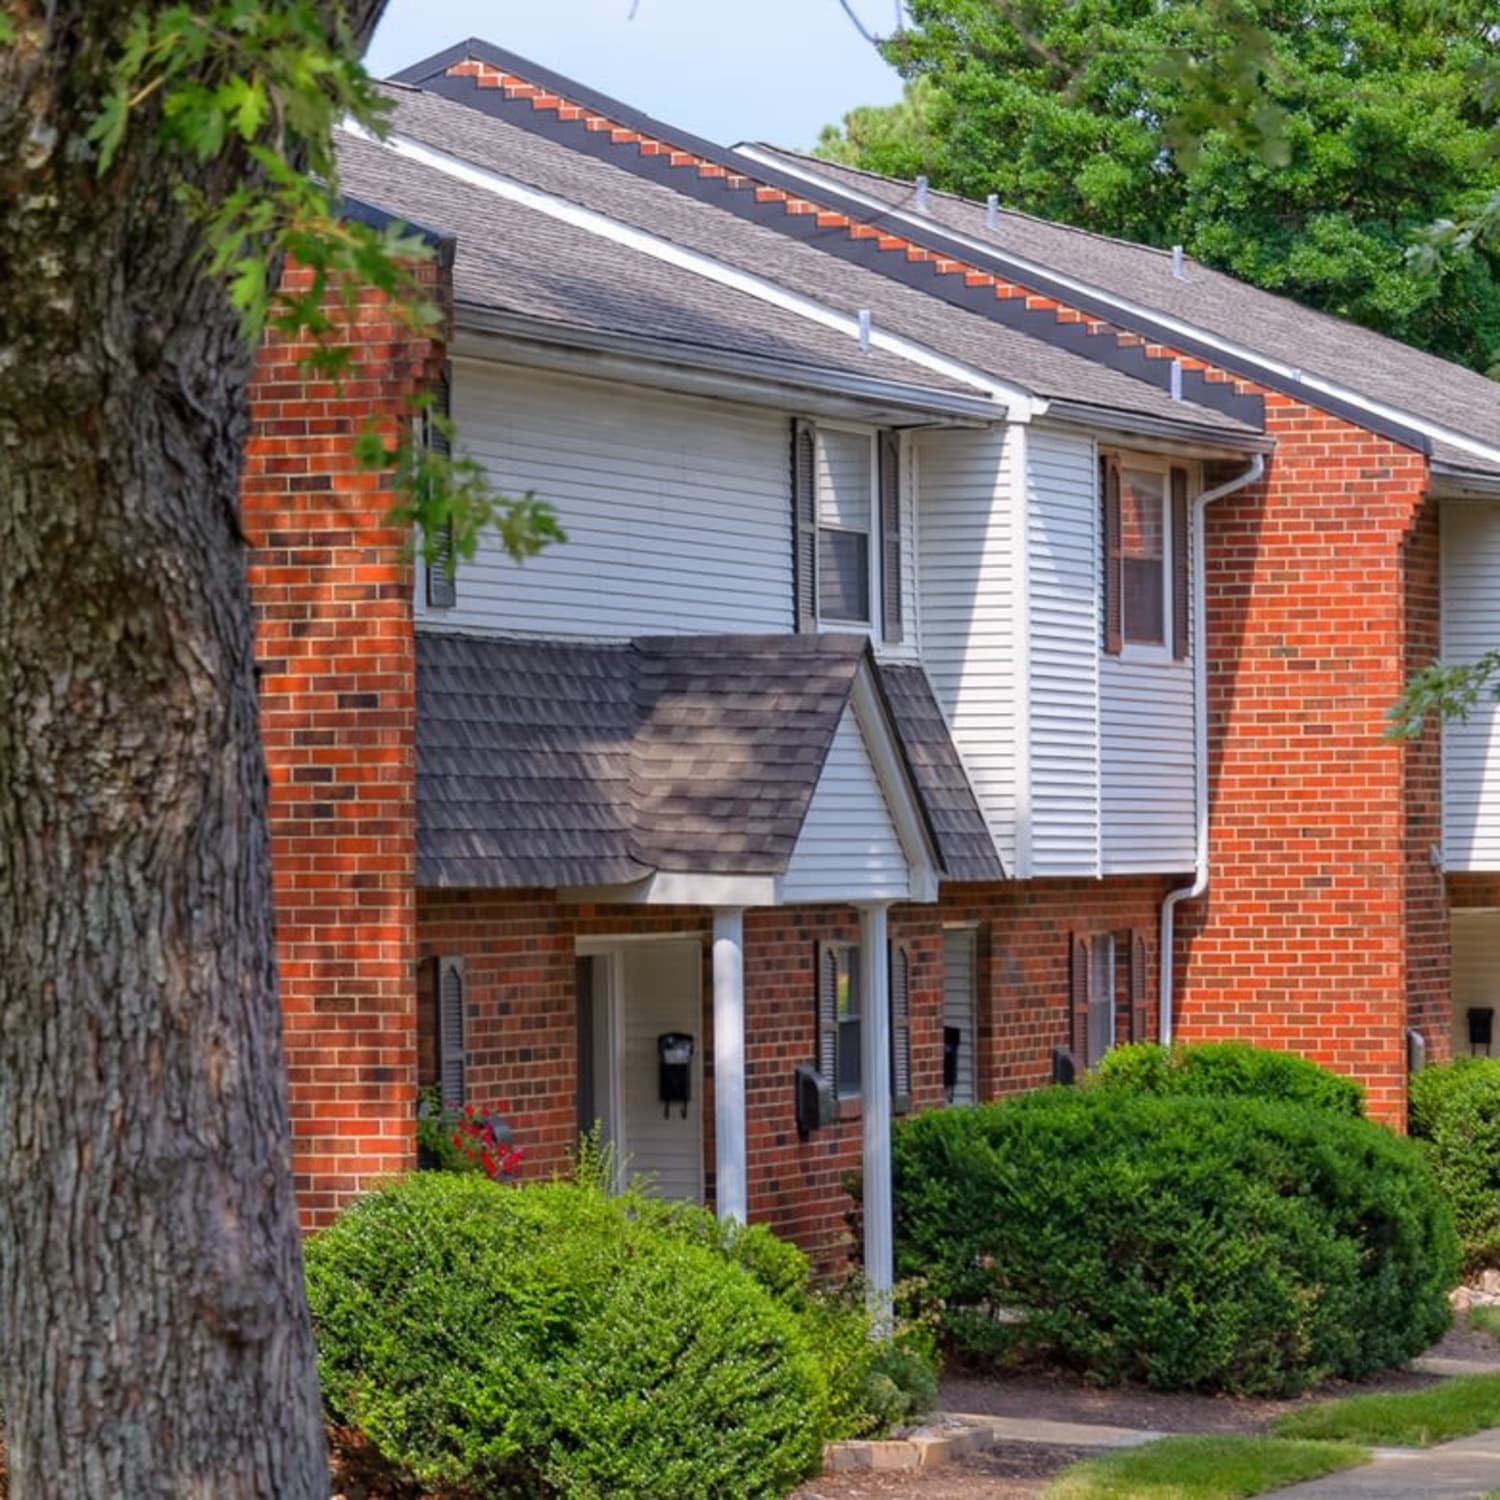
(523, 1042)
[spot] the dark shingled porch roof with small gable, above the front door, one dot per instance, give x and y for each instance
(565, 764)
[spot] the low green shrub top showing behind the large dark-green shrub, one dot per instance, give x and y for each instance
(1228, 1070)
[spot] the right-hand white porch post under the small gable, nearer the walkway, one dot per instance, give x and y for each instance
(875, 1075)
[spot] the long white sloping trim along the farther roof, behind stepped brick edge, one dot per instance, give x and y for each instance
(1130, 310)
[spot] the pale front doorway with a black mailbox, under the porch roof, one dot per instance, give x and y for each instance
(643, 992)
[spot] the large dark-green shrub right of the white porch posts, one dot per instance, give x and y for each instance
(1189, 1243)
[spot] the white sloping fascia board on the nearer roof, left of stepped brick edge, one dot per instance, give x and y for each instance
(598, 224)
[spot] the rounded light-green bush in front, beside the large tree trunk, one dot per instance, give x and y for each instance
(553, 1339)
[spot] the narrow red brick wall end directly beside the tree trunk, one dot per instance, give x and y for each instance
(335, 646)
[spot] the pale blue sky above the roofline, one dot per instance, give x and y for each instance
(725, 70)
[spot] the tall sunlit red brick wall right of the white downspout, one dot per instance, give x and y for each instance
(1304, 938)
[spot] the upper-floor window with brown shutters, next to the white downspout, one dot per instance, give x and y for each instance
(1145, 557)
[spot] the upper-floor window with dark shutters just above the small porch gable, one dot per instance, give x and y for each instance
(848, 529)
